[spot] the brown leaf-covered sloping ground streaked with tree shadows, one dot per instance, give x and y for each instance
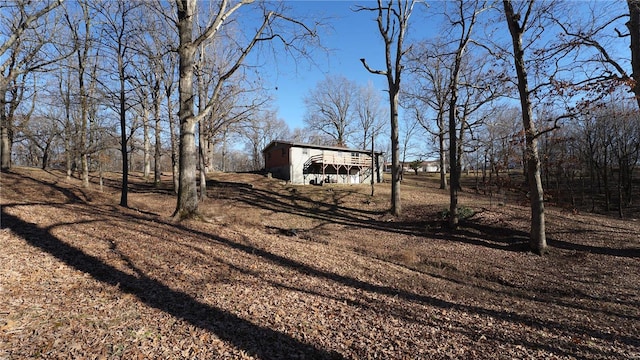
(305, 272)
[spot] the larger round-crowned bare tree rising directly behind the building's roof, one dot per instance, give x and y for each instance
(330, 108)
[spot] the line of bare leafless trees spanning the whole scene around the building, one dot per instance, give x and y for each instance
(536, 86)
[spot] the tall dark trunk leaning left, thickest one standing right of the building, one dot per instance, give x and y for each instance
(537, 239)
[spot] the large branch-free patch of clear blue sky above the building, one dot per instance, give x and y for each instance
(349, 36)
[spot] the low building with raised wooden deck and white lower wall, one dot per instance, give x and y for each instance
(315, 164)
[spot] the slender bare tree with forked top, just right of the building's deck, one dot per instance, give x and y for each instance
(393, 21)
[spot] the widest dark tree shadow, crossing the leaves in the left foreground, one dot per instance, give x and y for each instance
(256, 340)
